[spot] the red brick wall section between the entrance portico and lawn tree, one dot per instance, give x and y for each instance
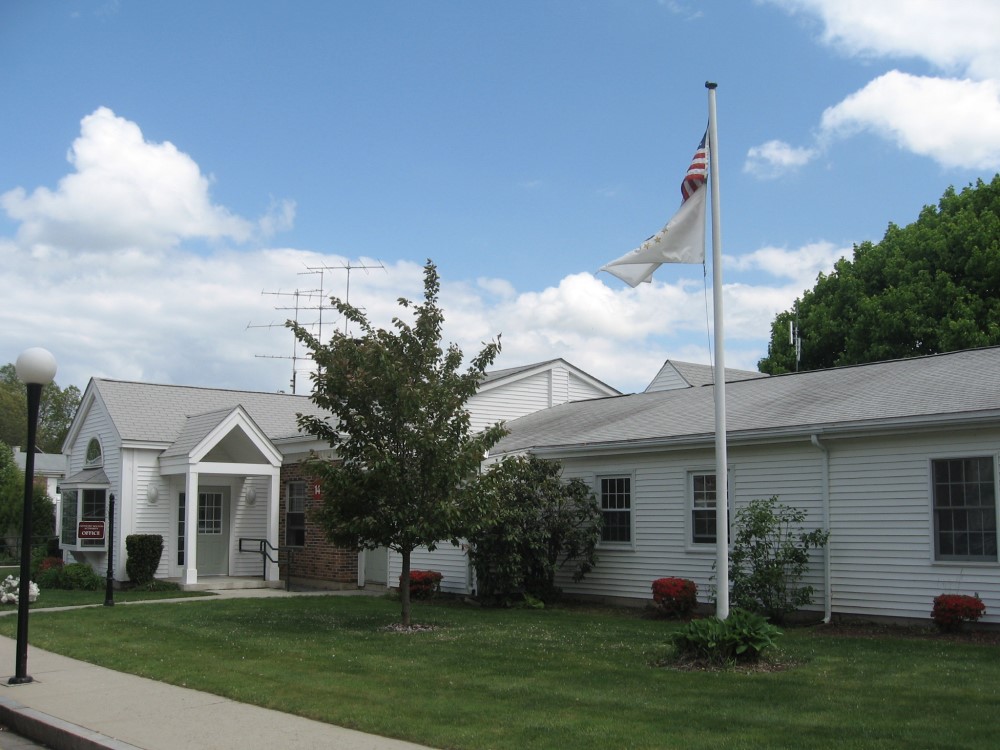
(317, 563)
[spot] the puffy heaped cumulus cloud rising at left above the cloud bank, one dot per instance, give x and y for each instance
(124, 192)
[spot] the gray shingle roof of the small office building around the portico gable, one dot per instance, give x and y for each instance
(146, 412)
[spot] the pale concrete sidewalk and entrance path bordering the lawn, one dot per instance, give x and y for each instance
(73, 705)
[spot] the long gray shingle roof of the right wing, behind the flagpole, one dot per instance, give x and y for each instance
(958, 386)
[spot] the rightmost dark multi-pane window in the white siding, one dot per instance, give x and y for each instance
(965, 509)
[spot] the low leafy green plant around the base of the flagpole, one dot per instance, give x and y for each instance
(740, 638)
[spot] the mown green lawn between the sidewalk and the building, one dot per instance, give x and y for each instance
(553, 678)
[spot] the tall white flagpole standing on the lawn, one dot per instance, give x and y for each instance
(721, 459)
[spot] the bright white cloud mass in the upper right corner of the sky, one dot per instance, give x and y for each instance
(952, 119)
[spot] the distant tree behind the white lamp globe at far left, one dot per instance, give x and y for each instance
(55, 412)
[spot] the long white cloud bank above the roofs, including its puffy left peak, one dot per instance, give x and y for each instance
(120, 307)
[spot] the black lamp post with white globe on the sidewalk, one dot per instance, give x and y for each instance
(35, 368)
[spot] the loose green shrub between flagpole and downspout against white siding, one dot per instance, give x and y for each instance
(769, 557)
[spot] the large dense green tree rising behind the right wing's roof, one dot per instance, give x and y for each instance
(930, 287)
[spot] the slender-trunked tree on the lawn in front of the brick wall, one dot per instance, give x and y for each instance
(406, 457)
